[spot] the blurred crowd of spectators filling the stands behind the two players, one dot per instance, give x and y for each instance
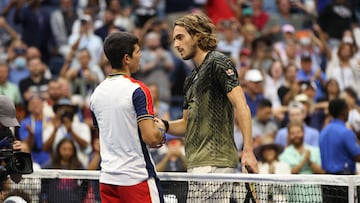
(292, 58)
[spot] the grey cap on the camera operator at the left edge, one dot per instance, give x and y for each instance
(7, 112)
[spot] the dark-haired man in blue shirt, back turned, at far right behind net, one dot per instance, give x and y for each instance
(338, 149)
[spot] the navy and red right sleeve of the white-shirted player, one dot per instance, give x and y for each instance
(143, 105)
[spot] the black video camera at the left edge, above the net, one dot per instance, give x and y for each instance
(15, 161)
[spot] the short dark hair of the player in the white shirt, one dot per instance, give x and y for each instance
(117, 45)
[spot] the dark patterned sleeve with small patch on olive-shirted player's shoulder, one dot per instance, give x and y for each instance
(225, 74)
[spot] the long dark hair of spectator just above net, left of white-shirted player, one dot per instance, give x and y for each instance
(74, 162)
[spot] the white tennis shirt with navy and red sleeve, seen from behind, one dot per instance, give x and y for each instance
(117, 105)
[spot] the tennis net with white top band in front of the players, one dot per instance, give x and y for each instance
(82, 186)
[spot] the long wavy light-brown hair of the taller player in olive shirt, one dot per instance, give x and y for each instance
(199, 24)
